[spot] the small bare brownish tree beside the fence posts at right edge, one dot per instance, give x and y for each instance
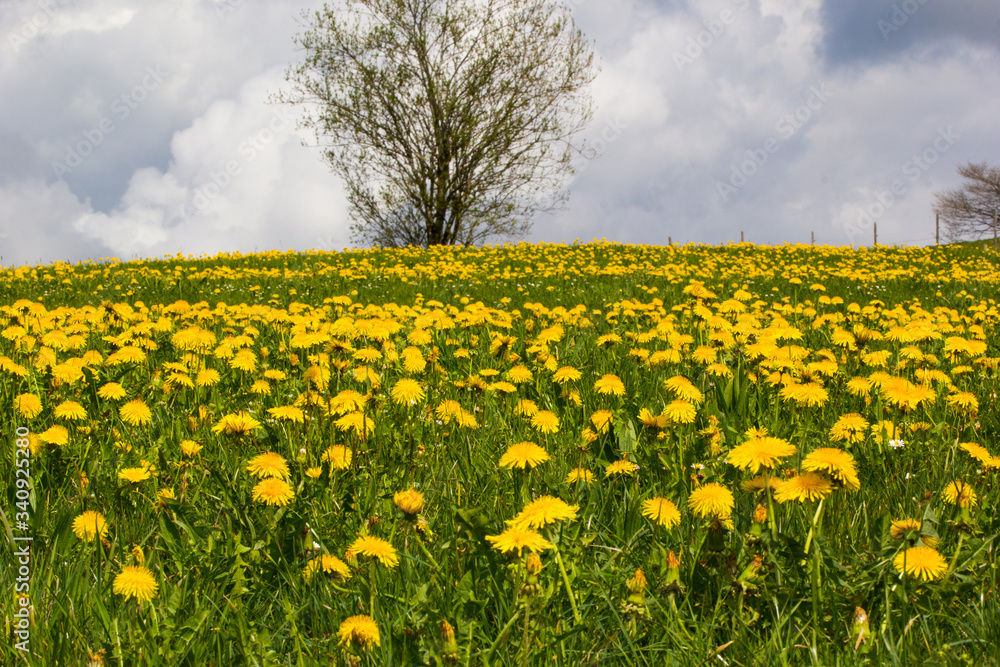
(969, 211)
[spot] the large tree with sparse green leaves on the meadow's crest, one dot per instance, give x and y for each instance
(449, 121)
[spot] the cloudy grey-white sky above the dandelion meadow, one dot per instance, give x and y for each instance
(144, 129)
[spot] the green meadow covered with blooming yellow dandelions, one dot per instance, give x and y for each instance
(527, 454)
